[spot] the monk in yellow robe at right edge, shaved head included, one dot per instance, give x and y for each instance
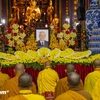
(92, 77)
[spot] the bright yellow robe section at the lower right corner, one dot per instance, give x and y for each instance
(96, 91)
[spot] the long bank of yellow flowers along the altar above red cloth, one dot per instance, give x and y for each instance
(56, 56)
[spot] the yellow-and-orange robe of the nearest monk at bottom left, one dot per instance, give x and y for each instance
(27, 95)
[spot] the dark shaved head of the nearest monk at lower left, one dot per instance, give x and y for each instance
(25, 80)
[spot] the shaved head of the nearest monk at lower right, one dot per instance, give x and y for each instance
(74, 79)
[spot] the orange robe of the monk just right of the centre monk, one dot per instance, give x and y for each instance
(62, 86)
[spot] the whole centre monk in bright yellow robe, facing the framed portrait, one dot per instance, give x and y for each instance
(47, 81)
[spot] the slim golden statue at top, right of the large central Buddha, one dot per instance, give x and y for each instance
(50, 10)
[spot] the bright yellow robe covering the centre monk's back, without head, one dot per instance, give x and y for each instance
(47, 80)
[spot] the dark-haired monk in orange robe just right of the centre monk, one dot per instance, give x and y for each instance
(62, 85)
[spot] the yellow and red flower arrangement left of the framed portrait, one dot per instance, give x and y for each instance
(15, 35)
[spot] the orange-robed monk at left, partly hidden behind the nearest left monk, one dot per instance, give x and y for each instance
(12, 84)
